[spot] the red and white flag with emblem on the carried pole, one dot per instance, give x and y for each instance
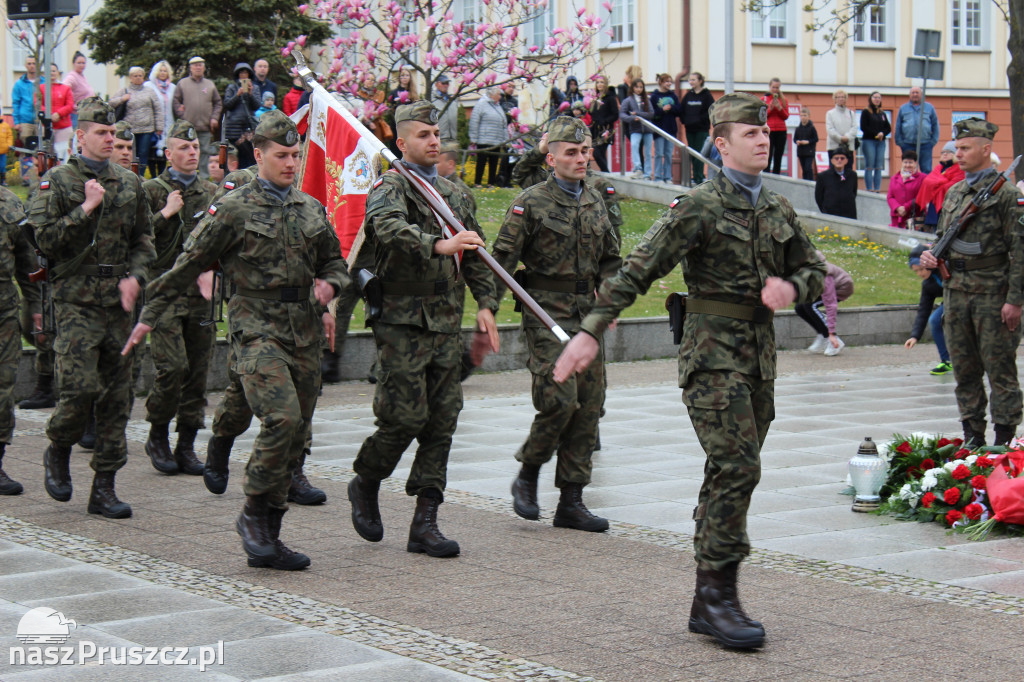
(338, 167)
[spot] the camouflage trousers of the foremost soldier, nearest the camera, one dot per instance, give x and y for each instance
(731, 413)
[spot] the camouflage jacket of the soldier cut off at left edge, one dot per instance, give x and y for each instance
(18, 259)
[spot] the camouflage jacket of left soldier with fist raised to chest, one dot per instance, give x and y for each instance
(119, 229)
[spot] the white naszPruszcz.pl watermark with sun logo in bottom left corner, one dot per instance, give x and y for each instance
(45, 632)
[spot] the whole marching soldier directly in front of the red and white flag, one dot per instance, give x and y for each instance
(278, 252)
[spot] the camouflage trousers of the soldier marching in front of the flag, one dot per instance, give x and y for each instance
(281, 386)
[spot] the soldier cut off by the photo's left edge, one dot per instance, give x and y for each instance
(18, 261)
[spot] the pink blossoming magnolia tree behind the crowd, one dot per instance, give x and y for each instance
(491, 44)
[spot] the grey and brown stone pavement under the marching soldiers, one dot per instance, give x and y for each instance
(841, 594)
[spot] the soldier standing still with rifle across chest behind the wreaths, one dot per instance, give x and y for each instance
(985, 293)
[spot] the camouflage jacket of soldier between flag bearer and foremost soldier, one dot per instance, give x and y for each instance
(559, 238)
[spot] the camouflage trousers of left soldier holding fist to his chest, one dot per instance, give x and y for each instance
(91, 369)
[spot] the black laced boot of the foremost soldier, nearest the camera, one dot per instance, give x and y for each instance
(717, 612)
